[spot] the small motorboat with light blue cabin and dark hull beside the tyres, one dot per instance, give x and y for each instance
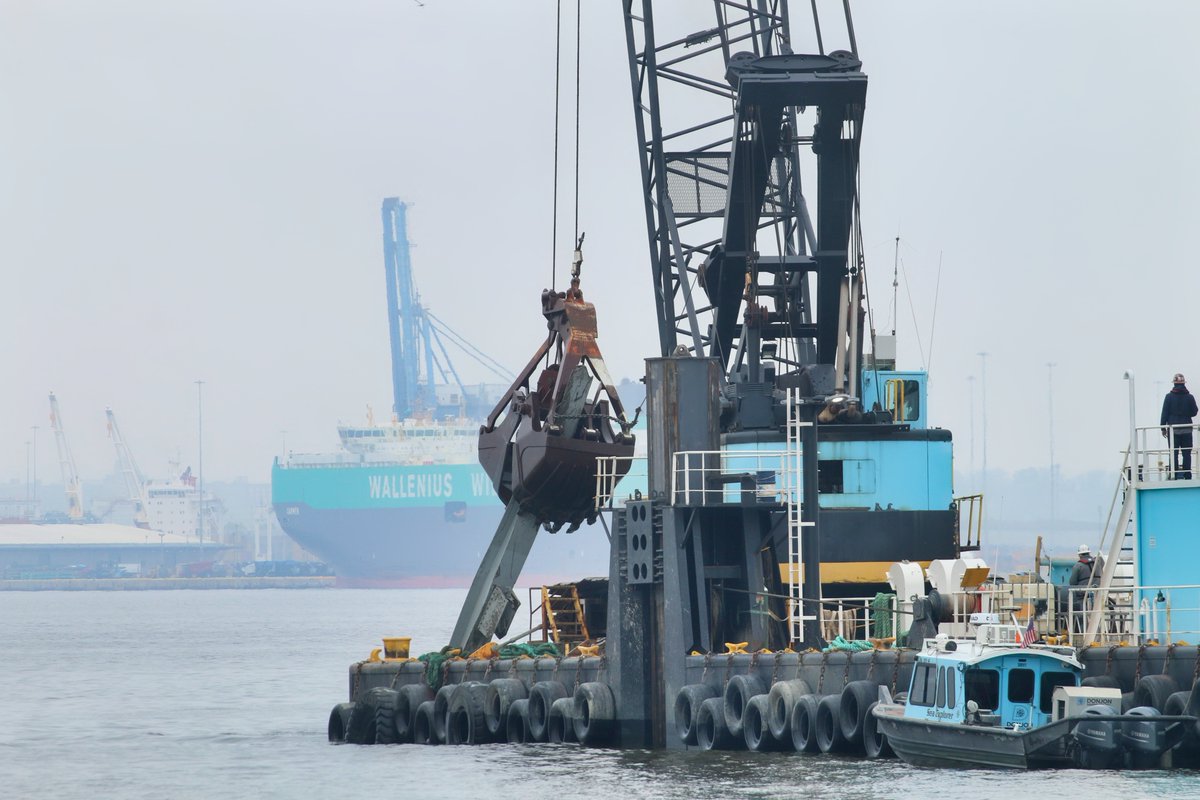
(1001, 701)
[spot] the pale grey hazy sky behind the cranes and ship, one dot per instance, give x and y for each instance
(191, 191)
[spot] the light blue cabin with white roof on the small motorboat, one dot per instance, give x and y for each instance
(1012, 687)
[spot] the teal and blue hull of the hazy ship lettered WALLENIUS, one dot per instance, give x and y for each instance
(415, 526)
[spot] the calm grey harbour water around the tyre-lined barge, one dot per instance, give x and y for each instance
(226, 694)
